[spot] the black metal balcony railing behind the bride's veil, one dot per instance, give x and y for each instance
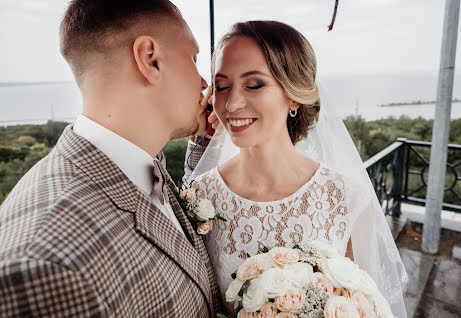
(399, 174)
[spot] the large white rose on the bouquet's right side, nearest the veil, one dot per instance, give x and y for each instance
(341, 272)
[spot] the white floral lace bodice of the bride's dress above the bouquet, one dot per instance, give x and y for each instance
(316, 211)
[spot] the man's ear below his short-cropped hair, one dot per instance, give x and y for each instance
(146, 54)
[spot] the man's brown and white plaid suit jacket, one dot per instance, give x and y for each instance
(78, 239)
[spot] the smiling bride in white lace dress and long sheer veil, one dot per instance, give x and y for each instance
(282, 169)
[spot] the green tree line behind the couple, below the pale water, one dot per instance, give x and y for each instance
(22, 146)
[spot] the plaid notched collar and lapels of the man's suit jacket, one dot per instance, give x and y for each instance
(149, 221)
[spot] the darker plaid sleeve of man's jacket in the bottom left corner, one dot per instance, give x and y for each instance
(36, 288)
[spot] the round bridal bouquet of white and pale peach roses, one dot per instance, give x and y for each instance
(311, 280)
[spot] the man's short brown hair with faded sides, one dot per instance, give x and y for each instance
(91, 27)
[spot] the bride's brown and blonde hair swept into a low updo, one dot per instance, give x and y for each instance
(292, 62)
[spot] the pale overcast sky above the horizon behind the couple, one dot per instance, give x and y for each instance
(370, 36)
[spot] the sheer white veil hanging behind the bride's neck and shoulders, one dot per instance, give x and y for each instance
(330, 143)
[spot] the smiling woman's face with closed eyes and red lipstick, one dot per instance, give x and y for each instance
(248, 100)
